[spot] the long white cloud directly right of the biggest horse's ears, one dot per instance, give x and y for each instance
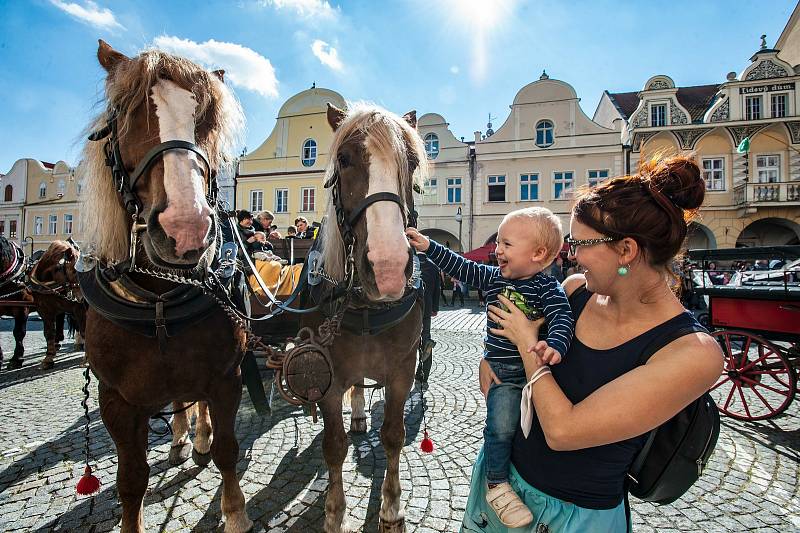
(243, 66)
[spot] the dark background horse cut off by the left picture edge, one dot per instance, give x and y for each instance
(15, 299)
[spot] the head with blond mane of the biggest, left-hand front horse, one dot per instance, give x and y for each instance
(169, 125)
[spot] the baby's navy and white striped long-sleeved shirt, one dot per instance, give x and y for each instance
(540, 291)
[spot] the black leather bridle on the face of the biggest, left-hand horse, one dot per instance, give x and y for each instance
(125, 183)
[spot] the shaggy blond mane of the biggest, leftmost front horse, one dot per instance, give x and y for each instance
(127, 88)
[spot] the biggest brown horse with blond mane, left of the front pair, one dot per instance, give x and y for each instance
(153, 334)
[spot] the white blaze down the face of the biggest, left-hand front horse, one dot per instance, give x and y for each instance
(187, 216)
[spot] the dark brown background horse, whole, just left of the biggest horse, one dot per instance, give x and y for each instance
(53, 282)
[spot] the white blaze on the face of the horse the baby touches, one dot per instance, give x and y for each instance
(386, 240)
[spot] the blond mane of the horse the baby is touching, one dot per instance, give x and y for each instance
(387, 136)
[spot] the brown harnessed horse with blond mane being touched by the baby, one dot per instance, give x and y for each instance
(377, 159)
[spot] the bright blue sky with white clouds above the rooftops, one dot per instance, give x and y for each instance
(463, 59)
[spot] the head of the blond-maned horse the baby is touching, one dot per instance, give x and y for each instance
(376, 160)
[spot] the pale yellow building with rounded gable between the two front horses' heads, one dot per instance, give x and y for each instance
(284, 175)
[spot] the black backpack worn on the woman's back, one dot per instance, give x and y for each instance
(677, 451)
